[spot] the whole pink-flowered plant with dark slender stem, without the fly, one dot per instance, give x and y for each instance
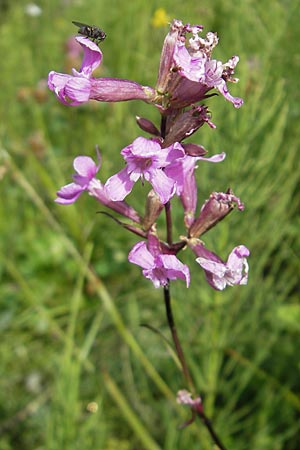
(166, 163)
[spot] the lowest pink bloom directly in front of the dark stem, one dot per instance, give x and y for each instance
(157, 266)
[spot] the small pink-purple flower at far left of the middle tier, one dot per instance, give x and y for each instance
(86, 170)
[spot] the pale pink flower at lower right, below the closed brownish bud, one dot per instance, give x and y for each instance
(218, 273)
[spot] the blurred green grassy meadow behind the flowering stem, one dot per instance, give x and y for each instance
(78, 371)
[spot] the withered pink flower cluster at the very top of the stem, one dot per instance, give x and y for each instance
(188, 72)
